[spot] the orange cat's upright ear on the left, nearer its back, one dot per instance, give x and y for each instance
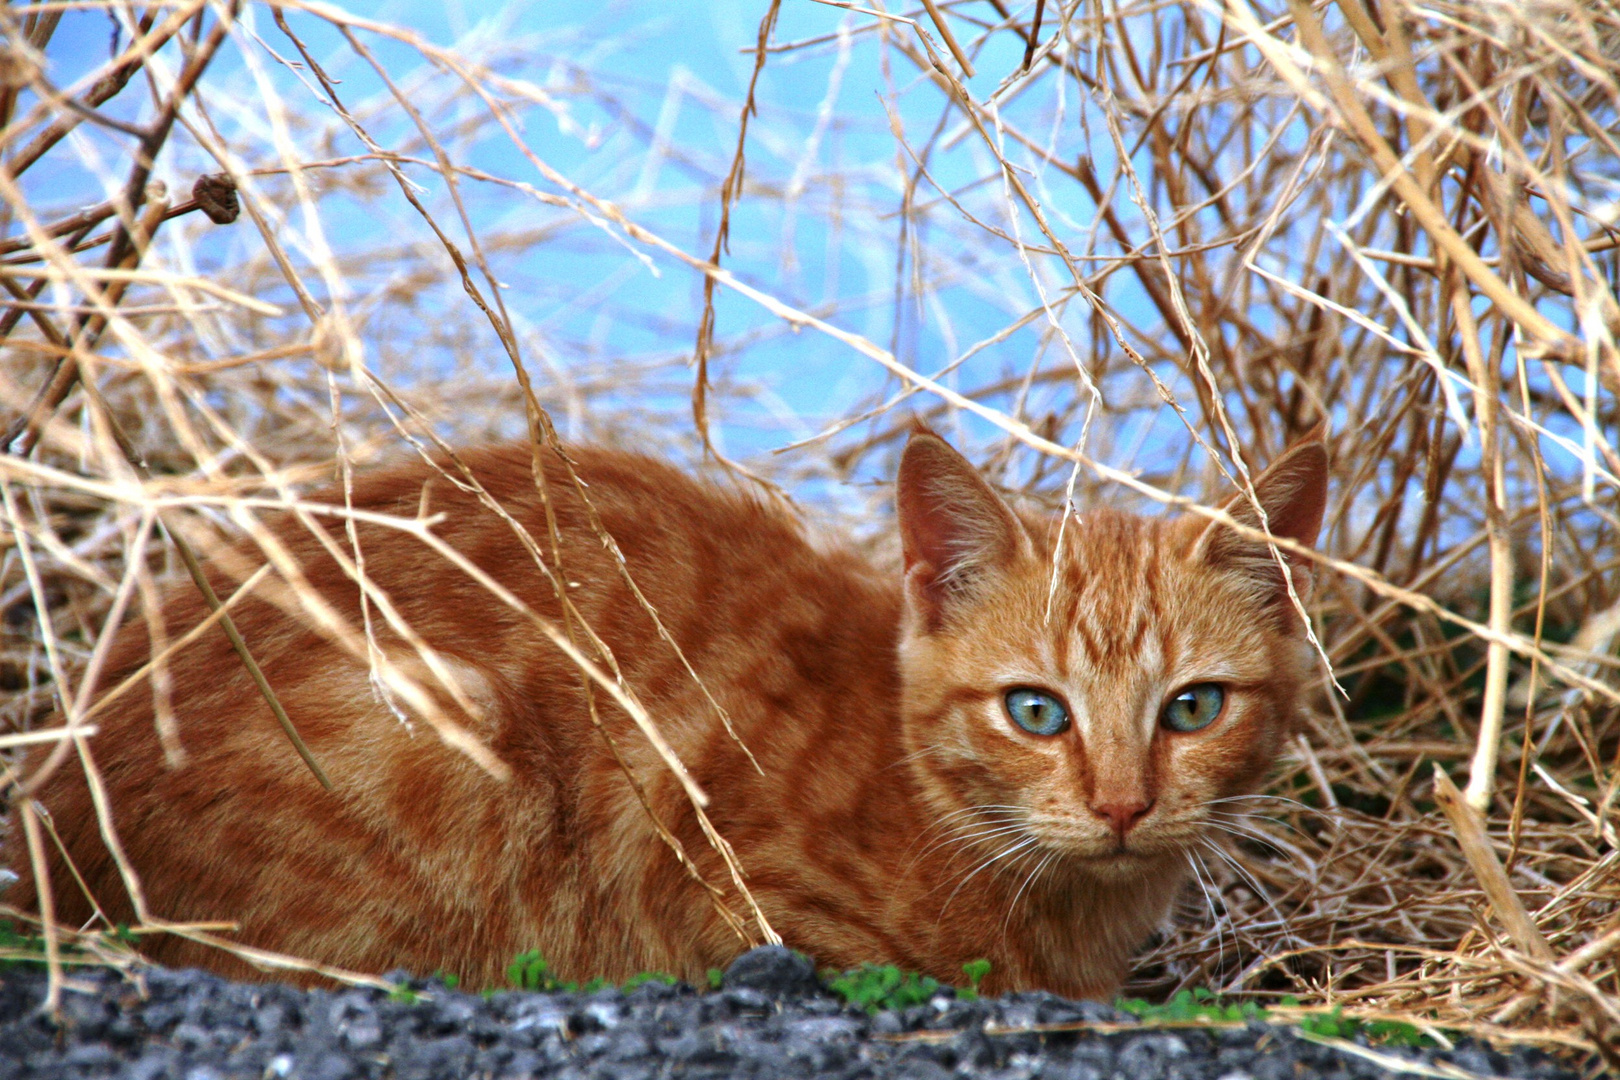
(955, 529)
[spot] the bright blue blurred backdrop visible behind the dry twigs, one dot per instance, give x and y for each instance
(646, 114)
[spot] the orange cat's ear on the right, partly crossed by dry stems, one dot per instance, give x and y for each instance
(1294, 495)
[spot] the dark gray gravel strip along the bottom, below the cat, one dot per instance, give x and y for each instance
(772, 1019)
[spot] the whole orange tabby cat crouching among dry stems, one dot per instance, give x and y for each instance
(1004, 754)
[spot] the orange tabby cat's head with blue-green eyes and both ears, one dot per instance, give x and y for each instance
(1096, 695)
